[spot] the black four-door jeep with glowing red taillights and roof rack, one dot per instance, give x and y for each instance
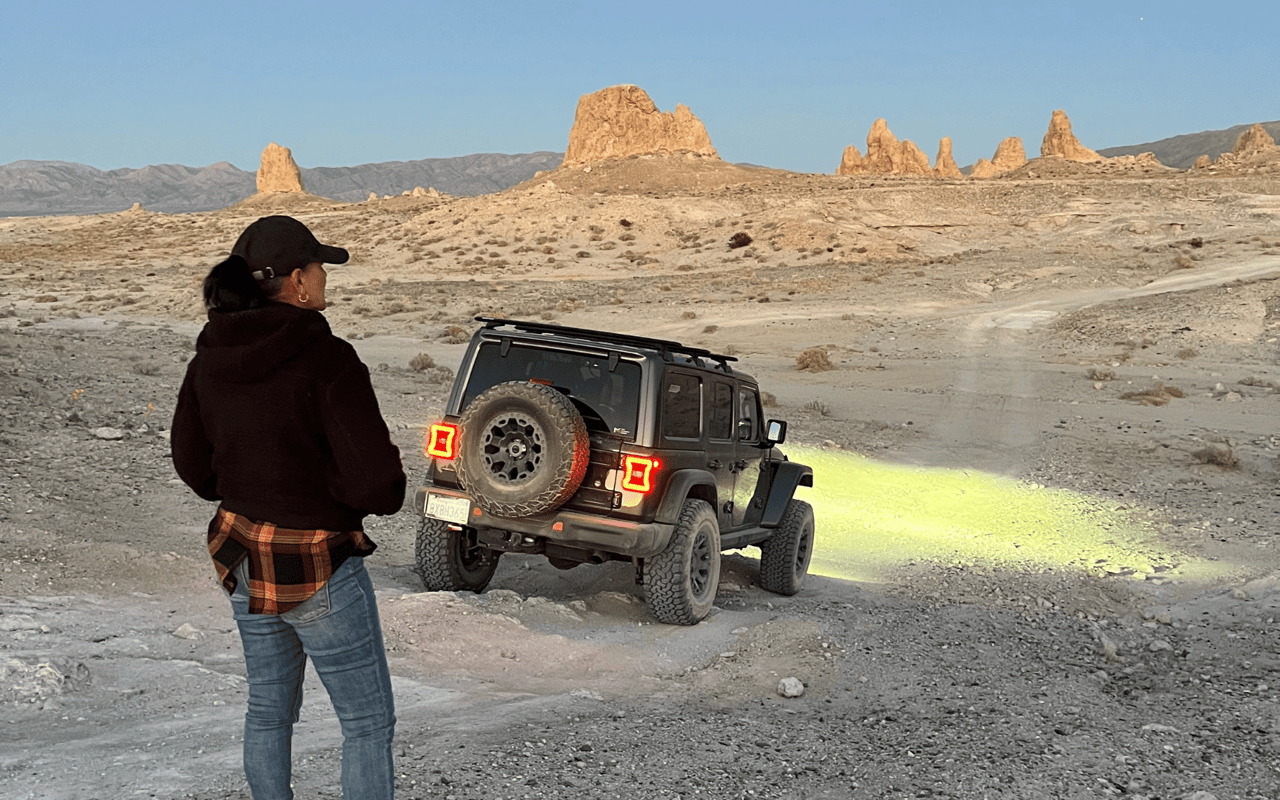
(587, 447)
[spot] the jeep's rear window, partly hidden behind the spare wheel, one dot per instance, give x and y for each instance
(612, 397)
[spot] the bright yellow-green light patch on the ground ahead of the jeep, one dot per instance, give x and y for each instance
(874, 518)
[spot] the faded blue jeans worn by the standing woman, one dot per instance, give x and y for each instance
(339, 629)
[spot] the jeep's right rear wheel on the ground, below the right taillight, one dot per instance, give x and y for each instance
(680, 583)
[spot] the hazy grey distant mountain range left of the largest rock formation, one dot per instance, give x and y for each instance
(61, 188)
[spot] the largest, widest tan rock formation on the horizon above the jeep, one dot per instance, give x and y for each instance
(623, 121)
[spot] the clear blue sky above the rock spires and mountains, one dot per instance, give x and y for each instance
(787, 85)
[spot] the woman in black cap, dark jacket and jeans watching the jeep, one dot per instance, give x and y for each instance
(277, 420)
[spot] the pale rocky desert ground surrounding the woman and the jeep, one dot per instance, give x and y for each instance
(1107, 333)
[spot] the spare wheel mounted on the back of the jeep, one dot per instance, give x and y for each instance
(524, 450)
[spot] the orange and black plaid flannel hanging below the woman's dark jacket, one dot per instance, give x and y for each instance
(286, 565)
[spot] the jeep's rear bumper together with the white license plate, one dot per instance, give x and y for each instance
(569, 528)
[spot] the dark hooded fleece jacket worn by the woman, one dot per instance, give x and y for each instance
(278, 420)
